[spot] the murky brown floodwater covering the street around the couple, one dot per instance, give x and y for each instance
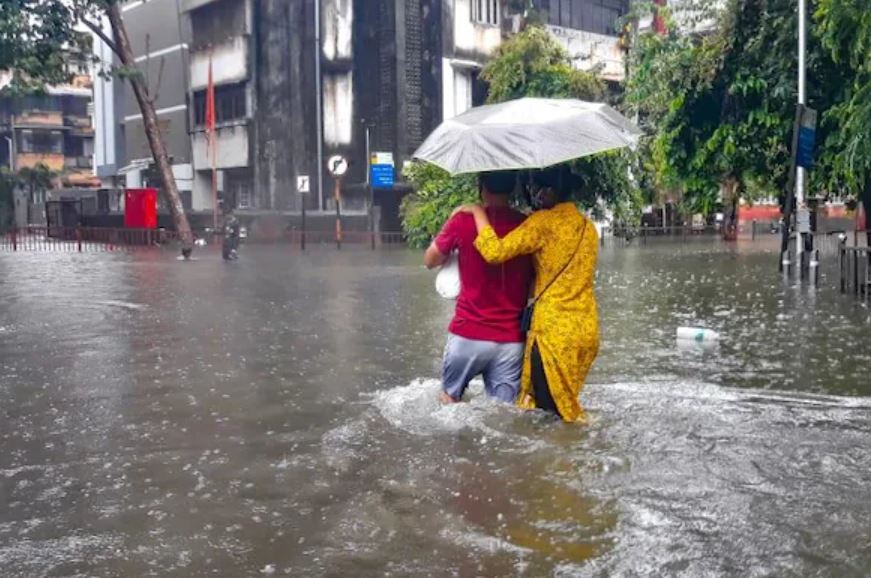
(278, 416)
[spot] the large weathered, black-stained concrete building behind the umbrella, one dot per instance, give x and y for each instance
(391, 68)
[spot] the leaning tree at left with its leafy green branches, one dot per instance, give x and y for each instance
(37, 37)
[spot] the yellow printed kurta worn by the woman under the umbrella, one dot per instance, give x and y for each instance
(566, 322)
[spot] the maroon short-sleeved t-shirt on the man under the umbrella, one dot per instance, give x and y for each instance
(492, 297)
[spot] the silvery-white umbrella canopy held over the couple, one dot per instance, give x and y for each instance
(529, 133)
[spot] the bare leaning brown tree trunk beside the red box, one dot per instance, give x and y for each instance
(152, 131)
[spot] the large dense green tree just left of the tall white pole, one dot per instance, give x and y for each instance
(719, 107)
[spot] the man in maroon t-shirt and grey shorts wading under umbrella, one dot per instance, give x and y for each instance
(484, 337)
